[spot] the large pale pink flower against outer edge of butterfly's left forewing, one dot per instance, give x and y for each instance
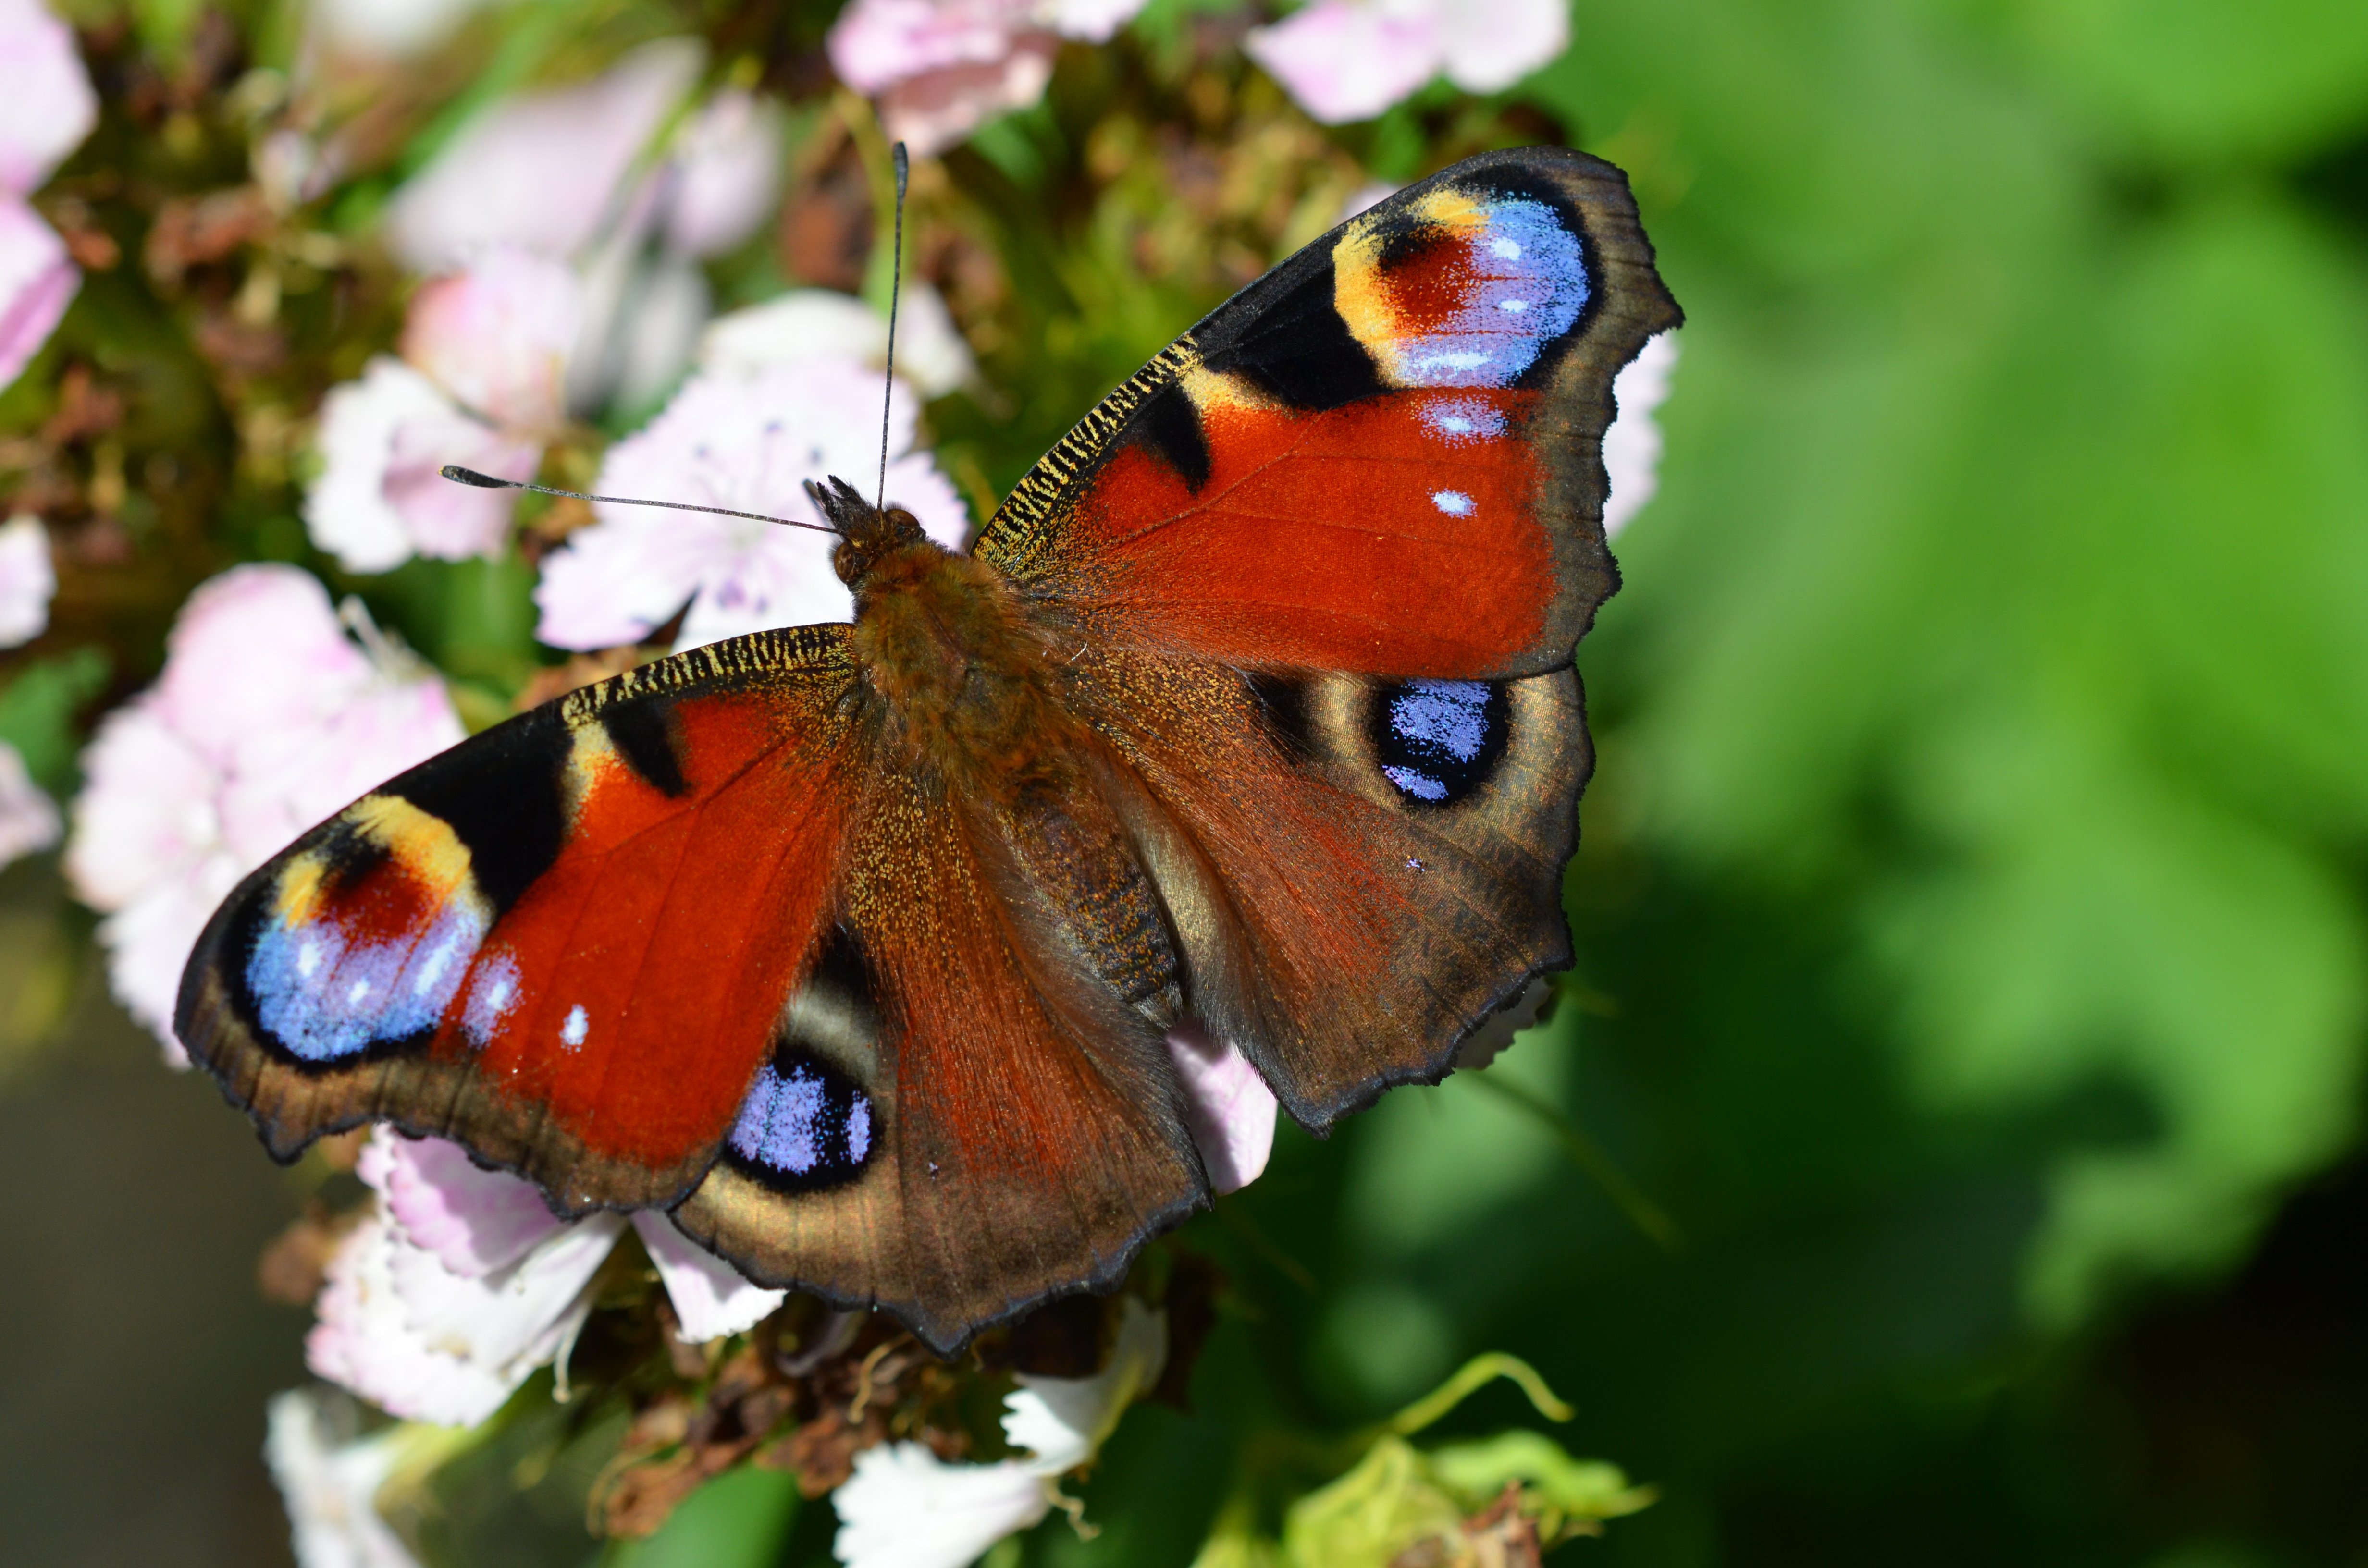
(266, 721)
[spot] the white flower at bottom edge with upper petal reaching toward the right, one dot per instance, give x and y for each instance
(903, 1508)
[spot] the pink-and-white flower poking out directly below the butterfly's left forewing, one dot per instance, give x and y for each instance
(463, 1285)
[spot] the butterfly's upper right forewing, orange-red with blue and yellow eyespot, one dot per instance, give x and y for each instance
(1382, 458)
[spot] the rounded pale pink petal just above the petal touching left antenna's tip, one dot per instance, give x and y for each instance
(498, 335)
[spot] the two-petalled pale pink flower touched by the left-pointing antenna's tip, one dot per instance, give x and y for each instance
(482, 385)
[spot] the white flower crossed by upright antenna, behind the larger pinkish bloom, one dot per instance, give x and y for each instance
(828, 326)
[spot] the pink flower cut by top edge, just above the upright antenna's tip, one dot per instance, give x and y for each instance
(946, 68)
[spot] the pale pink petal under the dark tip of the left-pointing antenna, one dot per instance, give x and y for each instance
(380, 496)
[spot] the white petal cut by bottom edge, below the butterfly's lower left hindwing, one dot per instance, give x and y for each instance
(903, 1508)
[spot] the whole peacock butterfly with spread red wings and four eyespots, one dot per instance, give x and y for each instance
(854, 946)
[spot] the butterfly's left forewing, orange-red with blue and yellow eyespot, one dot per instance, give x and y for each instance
(562, 944)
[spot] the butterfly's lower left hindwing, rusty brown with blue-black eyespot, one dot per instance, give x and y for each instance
(960, 1122)
